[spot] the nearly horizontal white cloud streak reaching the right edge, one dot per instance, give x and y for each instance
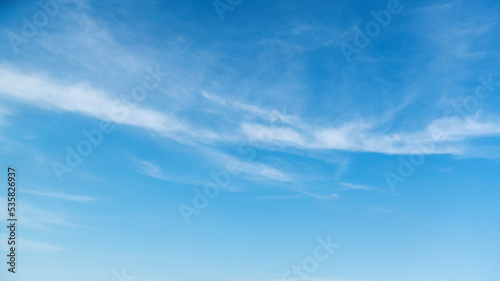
(441, 136)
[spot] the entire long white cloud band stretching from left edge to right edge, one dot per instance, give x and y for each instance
(441, 136)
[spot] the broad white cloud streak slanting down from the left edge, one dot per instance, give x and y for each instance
(43, 91)
